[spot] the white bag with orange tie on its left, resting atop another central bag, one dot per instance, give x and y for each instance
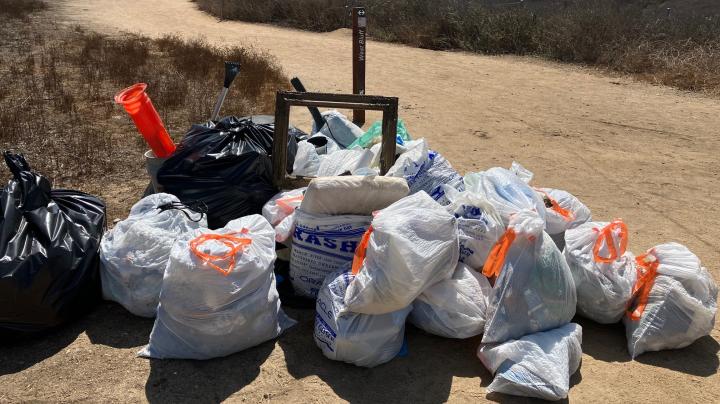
(411, 245)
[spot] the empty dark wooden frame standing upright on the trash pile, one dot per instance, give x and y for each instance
(286, 99)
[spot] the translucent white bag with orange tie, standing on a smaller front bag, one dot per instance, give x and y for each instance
(534, 290)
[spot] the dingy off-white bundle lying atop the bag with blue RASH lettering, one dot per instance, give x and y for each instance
(352, 195)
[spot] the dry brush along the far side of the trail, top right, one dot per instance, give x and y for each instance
(637, 37)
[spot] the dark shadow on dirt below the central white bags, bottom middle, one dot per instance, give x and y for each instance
(424, 375)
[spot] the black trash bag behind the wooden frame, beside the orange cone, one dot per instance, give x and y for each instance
(227, 165)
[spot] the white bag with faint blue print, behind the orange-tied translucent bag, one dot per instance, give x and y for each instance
(506, 192)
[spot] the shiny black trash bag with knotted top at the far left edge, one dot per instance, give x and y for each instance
(50, 243)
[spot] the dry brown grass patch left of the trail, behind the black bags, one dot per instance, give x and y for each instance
(56, 98)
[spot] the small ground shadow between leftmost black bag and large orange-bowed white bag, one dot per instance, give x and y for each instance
(110, 324)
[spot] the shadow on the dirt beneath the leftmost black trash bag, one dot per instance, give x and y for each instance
(18, 355)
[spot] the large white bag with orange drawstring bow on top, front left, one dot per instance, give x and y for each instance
(218, 296)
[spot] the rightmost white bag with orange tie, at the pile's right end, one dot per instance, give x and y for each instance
(674, 303)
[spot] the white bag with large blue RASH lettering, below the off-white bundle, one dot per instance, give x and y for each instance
(321, 245)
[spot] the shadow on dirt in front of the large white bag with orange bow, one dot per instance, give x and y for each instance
(210, 381)
